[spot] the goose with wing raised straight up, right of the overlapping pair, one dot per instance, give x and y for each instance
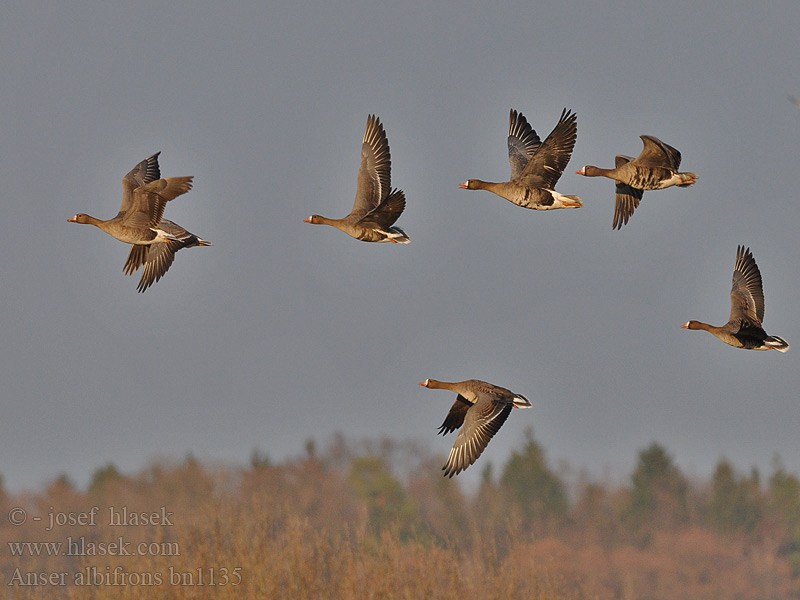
(377, 206)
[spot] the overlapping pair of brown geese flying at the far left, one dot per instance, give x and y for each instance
(139, 221)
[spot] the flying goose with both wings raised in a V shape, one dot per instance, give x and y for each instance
(535, 166)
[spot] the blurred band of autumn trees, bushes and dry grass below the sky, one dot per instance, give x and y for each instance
(377, 520)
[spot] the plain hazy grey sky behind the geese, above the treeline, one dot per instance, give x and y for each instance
(284, 331)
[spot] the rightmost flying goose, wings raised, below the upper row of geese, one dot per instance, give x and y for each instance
(743, 329)
